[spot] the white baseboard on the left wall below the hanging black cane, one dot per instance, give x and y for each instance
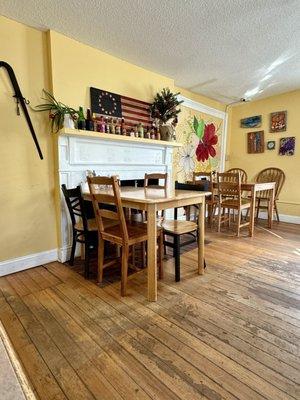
(29, 261)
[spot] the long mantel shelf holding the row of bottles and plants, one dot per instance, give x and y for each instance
(120, 138)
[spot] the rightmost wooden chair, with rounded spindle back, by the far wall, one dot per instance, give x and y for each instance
(269, 175)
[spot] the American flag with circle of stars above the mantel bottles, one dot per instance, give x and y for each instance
(116, 106)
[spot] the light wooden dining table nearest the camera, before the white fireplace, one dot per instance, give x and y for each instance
(151, 201)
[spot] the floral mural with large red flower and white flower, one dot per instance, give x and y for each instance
(201, 137)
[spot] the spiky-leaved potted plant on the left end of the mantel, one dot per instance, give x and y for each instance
(60, 114)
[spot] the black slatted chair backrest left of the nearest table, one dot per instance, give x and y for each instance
(75, 204)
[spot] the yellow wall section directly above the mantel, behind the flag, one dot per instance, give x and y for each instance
(76, 67)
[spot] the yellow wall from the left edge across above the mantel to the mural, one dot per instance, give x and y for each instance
(50, 60)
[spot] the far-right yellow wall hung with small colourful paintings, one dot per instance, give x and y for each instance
(237, 145)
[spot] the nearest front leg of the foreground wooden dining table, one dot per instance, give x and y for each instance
(152, 253)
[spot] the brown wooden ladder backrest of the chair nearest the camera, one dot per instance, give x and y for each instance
(111, 196)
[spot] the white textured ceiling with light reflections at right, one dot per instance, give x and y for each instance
(225, 49)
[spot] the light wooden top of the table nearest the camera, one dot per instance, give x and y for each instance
(150, 195)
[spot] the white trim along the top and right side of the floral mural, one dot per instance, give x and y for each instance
(215, 113)
